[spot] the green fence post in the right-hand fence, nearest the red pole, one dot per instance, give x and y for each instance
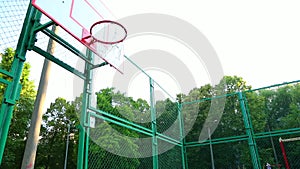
(249, 132)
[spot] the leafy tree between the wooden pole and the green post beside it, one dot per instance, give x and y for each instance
(52, 145)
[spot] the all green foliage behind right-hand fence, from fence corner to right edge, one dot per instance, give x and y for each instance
(269, 109)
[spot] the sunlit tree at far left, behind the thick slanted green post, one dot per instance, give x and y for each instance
(16, 140)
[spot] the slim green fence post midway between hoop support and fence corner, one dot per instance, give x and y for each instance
(153, 125)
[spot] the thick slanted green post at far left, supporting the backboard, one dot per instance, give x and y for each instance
(12, 91)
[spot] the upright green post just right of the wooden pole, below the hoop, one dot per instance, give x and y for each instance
(82, 161)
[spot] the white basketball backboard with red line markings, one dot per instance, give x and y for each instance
(76, 17)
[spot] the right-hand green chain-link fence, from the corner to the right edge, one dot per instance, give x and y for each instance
(252, 123)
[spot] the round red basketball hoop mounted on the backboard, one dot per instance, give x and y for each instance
(107, 32)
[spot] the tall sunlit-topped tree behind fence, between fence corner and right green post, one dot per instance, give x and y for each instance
(231, 124)
